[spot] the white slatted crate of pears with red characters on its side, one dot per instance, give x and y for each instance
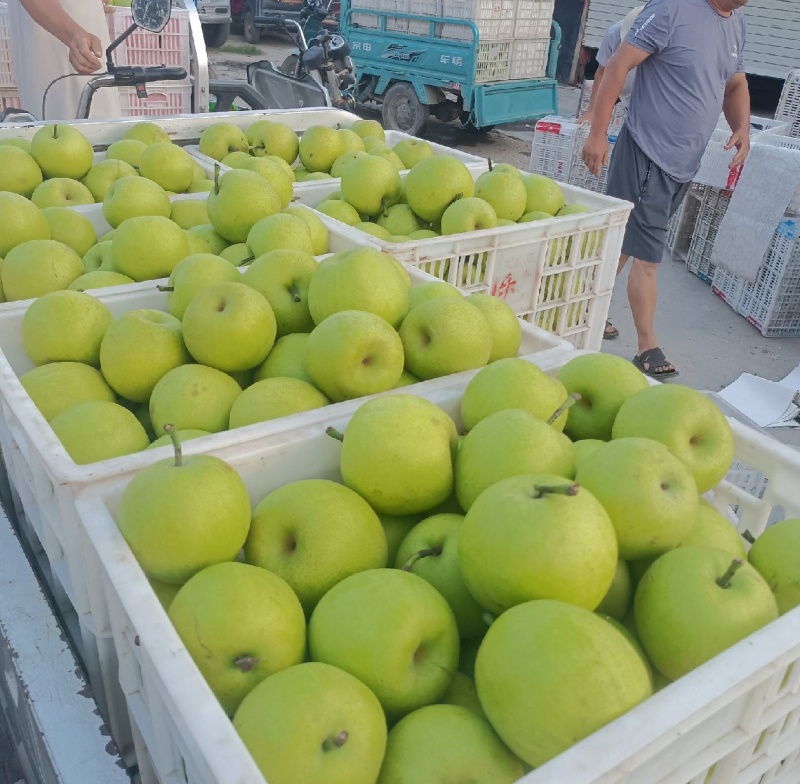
(556, 273)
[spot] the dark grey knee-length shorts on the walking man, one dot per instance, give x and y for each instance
(655, 195)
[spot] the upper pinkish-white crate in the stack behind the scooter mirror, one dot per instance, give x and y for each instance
(170, 47)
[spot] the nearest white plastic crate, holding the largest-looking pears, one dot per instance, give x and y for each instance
(733, 719)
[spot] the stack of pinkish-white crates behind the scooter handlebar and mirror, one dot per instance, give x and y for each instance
(170, 47)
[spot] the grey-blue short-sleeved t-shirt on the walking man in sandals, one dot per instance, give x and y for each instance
(678, 93)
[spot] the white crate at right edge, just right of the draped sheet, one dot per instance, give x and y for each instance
(772, 302)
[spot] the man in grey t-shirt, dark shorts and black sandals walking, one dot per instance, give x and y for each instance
(689, 60)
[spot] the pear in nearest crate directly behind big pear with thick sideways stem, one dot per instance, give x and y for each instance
(509, 443)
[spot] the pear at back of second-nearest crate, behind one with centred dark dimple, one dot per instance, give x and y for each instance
(363, 279)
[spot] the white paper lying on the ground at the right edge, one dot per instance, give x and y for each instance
(767, 403)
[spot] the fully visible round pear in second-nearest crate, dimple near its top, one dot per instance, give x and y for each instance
(229, 326)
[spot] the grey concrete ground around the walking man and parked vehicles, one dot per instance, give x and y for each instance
(708, 342)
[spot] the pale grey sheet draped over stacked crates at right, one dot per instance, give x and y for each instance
(769, 180)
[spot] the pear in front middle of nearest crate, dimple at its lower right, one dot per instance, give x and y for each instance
(392, 631)
